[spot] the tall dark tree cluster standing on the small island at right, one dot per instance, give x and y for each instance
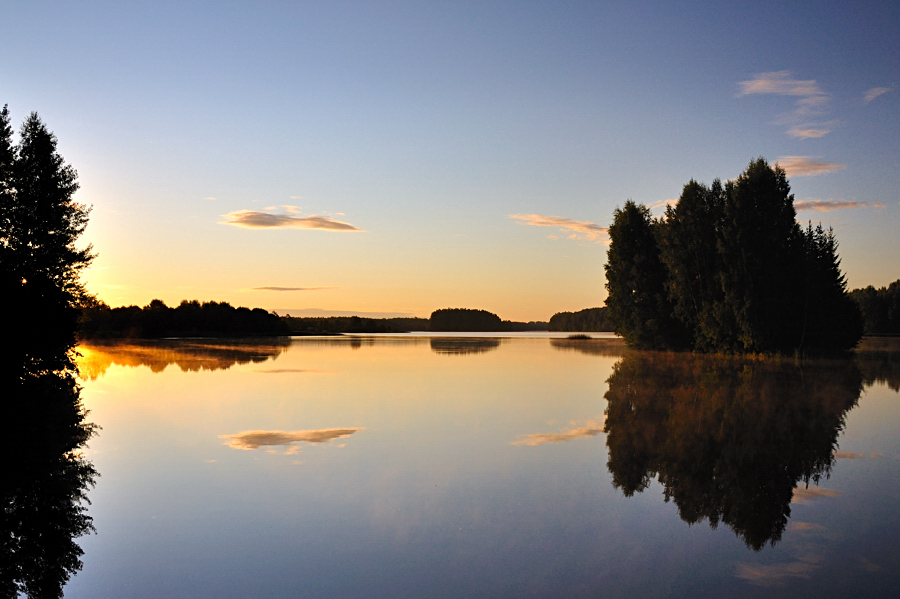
(729, 269)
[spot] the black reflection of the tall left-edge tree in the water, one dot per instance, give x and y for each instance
(44, 482)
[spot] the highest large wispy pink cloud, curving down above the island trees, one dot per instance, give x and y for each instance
(811, 101)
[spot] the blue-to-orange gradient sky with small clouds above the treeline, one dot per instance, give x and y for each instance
(401, 157)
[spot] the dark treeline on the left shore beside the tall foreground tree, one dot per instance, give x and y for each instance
(189, 319)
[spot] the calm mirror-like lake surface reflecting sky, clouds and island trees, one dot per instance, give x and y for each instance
(480, 467)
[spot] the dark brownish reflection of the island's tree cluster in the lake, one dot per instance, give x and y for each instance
(728, 438)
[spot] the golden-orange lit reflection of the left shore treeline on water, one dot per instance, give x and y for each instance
(188, 355)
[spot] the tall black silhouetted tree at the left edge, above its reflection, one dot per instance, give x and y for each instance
(39, 225)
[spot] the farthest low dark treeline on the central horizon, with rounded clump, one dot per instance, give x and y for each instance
(450, 319)
